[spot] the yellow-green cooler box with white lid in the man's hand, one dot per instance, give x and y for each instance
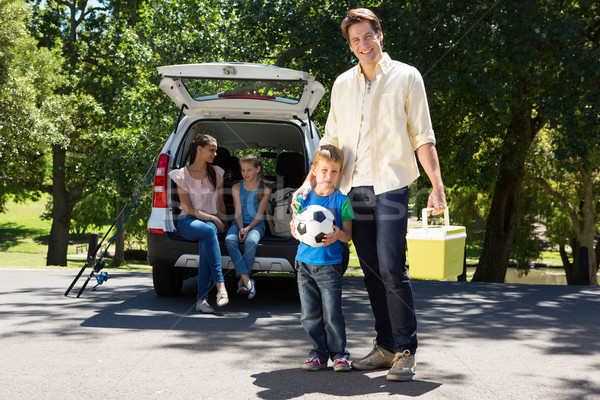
(436, 252)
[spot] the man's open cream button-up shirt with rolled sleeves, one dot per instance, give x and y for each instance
(399, 123)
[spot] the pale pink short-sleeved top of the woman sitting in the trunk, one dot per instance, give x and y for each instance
(202, 194)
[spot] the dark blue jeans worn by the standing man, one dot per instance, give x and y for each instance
(379, 236)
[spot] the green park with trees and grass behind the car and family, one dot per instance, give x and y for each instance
(513, 88)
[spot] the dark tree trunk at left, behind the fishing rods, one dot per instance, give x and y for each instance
(61, 211)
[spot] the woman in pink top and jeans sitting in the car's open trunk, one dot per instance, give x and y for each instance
(200, 189)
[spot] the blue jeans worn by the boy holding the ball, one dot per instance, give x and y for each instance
(320, 288)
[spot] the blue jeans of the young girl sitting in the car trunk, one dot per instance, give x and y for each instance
(243, 264)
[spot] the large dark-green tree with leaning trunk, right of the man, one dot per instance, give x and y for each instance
(494, 72)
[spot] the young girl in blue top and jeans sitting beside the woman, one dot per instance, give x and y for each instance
(250, 198)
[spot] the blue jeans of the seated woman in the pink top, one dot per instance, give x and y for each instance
(209, 265)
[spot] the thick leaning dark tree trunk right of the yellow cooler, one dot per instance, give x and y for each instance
(502, 219)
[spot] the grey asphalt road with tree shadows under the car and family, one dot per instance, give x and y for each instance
(477, 341)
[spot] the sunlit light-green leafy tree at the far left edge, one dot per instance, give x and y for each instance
(27, 77)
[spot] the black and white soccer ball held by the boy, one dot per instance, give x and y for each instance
(313, 223)
